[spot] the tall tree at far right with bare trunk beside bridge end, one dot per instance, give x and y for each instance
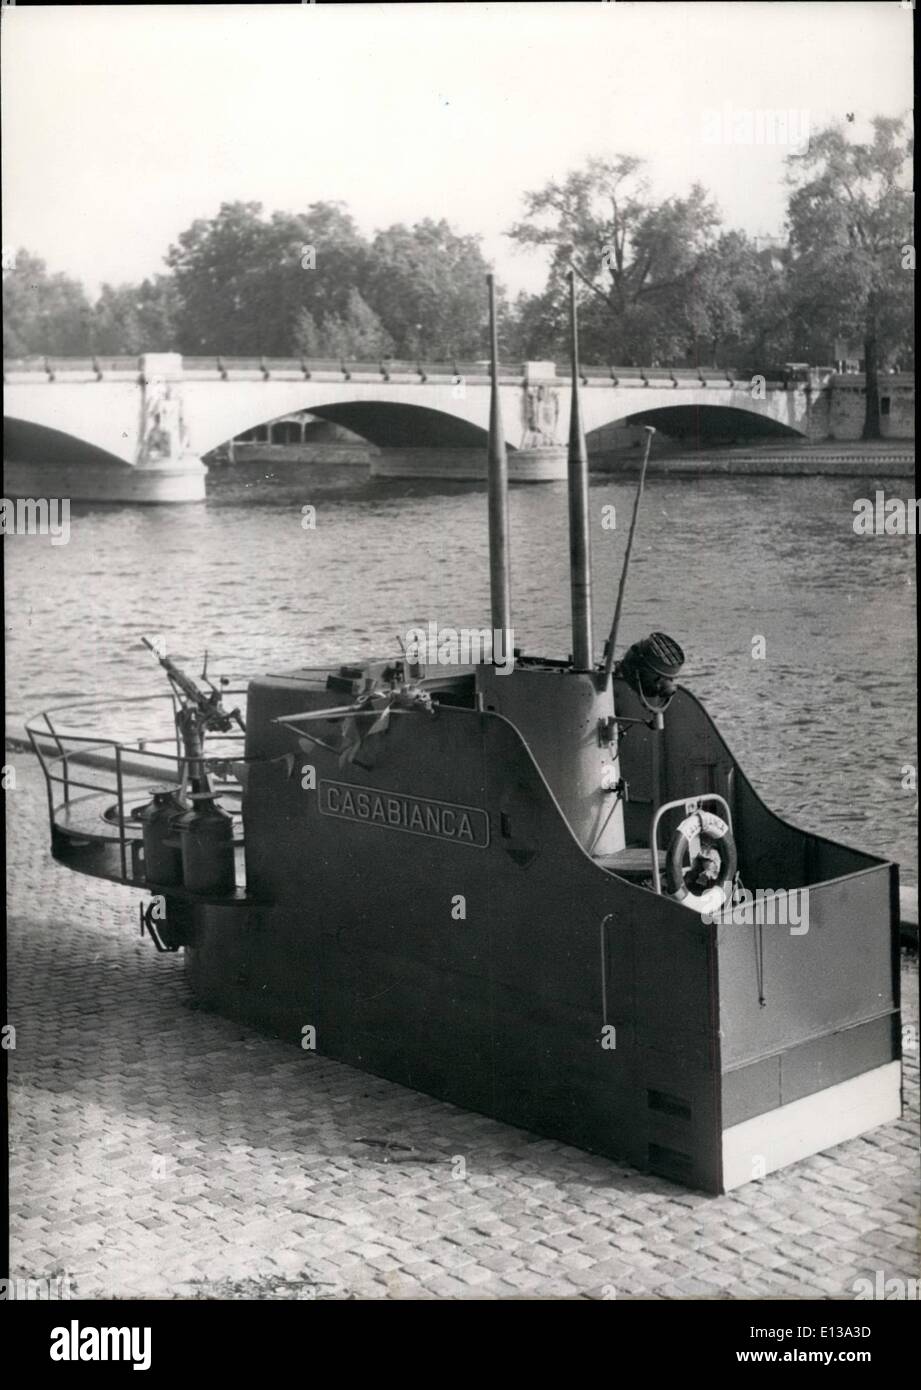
(851, 222)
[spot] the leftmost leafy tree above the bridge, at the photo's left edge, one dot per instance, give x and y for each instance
(44, 315)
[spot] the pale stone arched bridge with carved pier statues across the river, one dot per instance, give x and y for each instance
(138, 430)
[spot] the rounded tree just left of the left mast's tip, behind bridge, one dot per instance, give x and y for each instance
(427, 284)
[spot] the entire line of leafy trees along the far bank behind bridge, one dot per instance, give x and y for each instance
(663, 280)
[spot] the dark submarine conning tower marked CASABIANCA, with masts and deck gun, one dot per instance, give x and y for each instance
(542, 890)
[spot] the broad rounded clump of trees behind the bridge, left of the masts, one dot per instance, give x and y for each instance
(310, 283)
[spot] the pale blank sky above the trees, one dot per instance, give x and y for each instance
(123, 124)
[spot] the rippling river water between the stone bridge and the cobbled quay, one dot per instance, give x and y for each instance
(824, 723)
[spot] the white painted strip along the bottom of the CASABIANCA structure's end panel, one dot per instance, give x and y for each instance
(811, 1125)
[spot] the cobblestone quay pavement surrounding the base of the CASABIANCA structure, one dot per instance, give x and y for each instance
(160, 1152)
